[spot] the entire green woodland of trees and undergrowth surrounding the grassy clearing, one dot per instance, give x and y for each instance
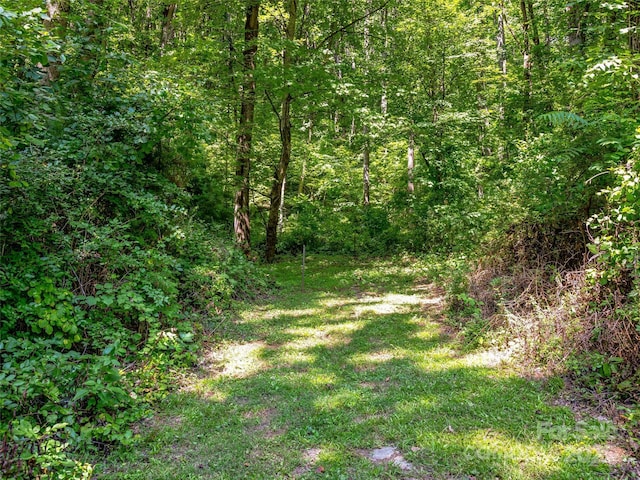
(132, 132)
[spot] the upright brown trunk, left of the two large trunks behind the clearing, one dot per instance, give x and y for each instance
(241, 221)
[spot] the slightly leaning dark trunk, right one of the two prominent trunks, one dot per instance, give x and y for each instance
(285, 138)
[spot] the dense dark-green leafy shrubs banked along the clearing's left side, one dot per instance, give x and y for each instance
(107, 275)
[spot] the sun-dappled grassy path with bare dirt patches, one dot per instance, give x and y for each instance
(355, 377)
